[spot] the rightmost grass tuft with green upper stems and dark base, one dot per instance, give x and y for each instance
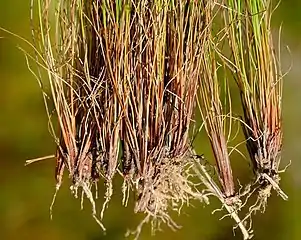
(257, 72)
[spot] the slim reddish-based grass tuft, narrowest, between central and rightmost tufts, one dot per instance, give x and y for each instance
(213, 114)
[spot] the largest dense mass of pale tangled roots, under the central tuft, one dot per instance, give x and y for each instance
(166, 186)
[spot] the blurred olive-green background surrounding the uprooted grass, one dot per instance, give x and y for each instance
(26, 192)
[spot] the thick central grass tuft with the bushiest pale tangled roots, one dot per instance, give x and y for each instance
(163, 68)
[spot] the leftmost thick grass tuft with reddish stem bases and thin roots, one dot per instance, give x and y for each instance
(79, 53)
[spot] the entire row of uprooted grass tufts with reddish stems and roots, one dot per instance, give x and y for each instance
(127, 79)
